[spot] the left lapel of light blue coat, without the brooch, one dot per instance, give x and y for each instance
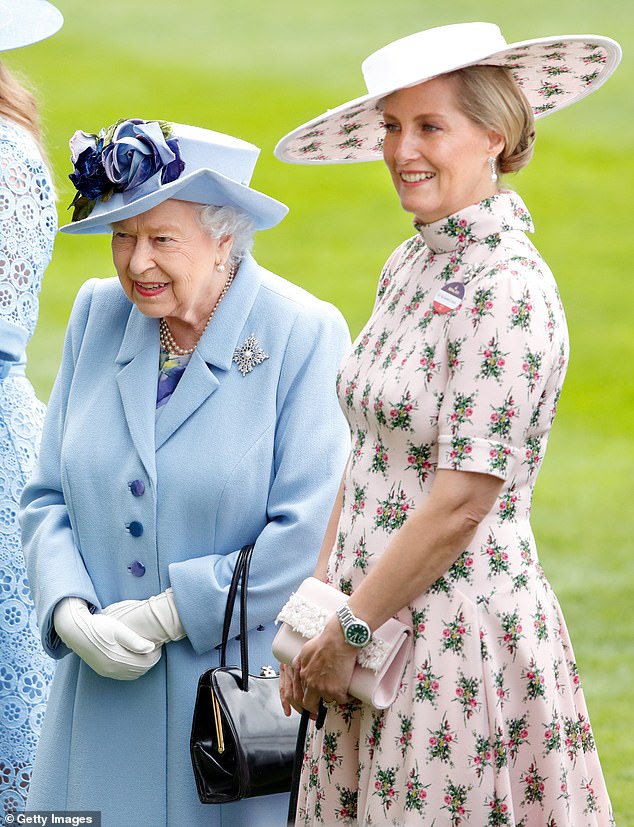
(137, 380)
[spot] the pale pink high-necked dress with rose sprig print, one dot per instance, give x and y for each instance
(460, 367)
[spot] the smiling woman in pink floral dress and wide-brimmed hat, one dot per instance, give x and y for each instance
(451, 389)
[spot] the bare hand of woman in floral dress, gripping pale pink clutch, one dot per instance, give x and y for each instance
(324, 667)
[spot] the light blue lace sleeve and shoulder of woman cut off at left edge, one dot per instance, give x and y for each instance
(28, 223)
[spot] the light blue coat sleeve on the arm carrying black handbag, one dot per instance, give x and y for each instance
(311, 447)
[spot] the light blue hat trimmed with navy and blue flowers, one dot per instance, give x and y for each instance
(135, 165)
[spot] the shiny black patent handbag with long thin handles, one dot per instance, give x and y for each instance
(242, 745)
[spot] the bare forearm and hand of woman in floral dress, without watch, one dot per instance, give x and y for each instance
(419, 553)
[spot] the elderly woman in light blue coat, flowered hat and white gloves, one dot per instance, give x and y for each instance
(194, 412)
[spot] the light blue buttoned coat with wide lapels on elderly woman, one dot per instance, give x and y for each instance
(231, 459)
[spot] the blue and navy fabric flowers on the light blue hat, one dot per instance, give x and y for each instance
(120, 158)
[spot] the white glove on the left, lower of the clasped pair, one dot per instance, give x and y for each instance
(104, 643)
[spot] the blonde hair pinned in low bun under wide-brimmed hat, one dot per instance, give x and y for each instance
(491, 98)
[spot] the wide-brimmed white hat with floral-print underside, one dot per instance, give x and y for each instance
(552, 72)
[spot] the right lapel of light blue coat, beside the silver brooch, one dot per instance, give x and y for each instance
(213, 356)
